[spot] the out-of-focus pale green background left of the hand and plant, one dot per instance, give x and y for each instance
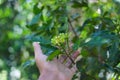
(15, 49)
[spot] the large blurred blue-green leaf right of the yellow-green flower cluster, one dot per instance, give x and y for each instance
(99, 39)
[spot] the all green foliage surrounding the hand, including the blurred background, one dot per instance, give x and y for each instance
(62, 27)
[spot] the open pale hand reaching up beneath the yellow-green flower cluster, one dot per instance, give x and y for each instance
(53, 70)
